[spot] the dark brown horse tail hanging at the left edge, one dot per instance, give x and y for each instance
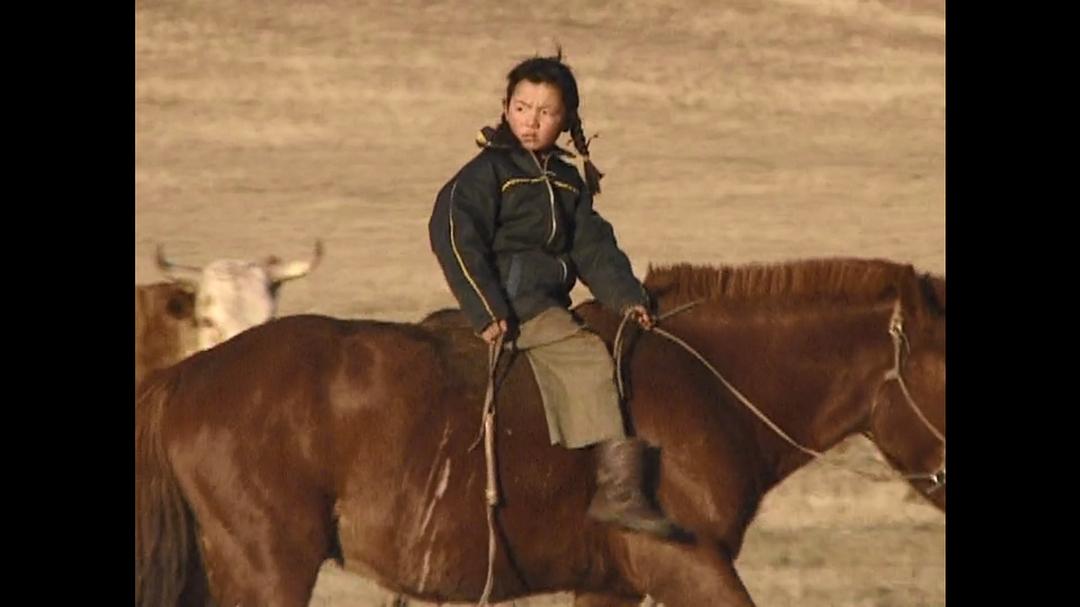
(166, 550)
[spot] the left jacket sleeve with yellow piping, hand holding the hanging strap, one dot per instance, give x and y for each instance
(462, 230)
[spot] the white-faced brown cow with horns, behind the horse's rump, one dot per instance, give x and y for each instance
(201, 307)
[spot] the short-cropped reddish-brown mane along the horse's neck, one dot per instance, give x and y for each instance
(798, 282)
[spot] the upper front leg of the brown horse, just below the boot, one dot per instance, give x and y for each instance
(683, 575)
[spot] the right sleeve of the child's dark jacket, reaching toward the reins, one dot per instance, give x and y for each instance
(602, 265)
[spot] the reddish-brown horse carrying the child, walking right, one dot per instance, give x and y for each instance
(312, 438)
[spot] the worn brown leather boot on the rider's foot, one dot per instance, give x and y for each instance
(619, 498)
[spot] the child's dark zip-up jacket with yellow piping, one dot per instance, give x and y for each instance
(514, 235)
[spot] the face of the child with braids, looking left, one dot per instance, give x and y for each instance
(536, 115)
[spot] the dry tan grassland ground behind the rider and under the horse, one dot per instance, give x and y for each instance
(731, 132)
